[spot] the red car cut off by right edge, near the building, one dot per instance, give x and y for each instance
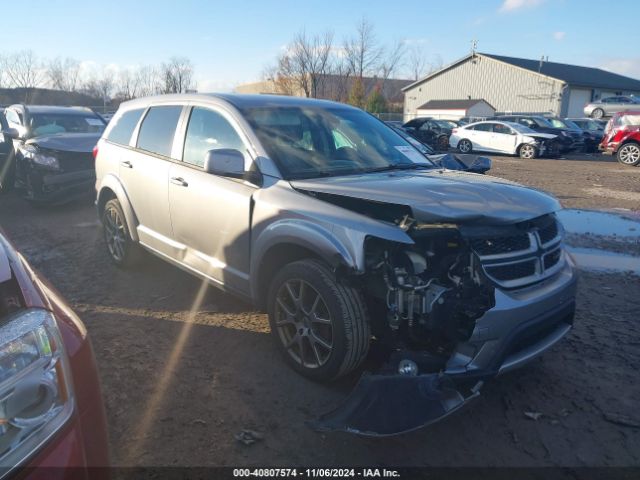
(622, 137)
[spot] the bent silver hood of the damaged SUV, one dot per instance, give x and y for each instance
(438, 196)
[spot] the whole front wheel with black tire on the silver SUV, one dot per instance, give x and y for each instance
(298, 323)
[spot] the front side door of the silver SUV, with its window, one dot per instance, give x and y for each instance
(210, 214)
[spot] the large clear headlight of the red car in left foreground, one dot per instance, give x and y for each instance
(36, 397)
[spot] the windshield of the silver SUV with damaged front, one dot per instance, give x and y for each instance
(313, 142)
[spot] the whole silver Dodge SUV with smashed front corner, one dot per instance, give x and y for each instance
(348, 237)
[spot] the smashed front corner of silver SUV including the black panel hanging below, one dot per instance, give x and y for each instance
(424, 301)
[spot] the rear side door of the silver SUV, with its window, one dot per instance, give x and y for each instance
(144, 173)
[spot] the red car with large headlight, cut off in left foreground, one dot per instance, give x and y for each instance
(52, 421)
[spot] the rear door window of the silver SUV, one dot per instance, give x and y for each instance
(158, 128)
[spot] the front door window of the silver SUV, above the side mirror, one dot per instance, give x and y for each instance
(208, 130)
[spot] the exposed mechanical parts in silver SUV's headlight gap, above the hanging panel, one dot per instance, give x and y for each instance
(432, 292)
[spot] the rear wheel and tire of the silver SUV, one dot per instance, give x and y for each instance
(123, 251)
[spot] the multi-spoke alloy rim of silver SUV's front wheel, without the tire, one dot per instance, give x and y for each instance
(304, 323)
